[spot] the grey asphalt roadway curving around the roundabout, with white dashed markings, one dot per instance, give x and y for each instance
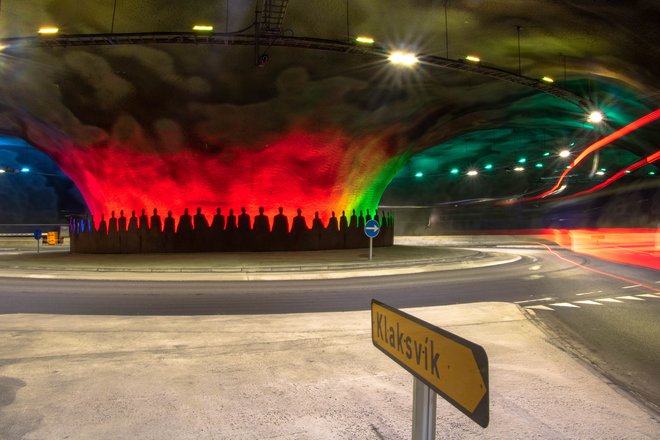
(616, 329)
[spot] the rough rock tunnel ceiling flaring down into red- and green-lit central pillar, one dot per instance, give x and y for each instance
(175, 126)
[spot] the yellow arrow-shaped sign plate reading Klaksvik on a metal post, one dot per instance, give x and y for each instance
(453, 367)
